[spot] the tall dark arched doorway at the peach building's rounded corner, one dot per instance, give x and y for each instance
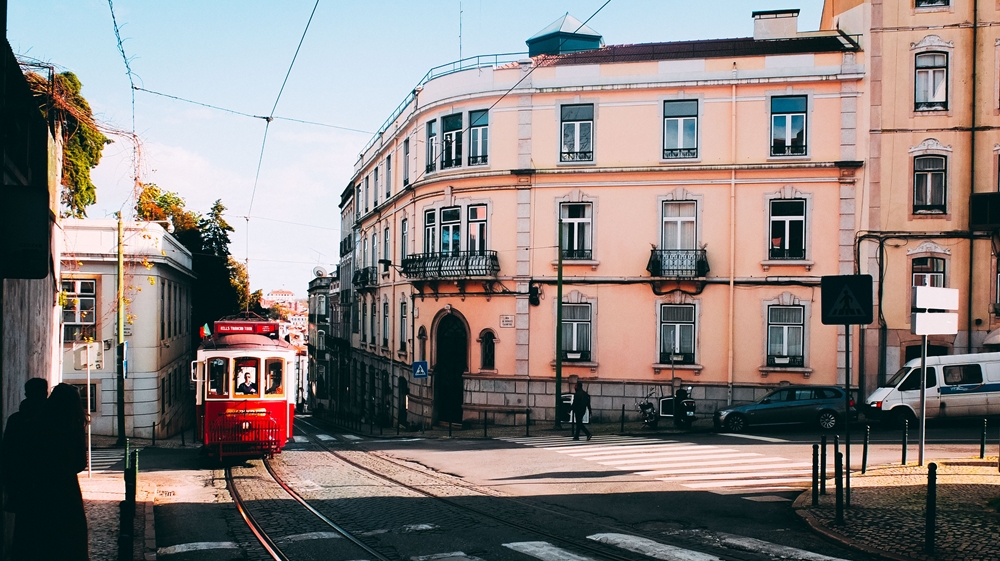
(450, 363)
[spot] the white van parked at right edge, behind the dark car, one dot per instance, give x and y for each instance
(957, 386)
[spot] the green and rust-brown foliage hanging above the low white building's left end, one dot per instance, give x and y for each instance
(83, 141)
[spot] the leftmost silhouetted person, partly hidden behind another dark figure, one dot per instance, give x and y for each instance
(16, 449)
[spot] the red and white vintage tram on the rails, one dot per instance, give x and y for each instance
(245, 389)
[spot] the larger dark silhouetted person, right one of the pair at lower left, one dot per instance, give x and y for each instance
(58, 452)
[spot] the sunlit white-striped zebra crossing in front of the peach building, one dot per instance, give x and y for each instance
(694, 466)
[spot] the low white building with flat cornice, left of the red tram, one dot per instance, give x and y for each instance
(157, 276)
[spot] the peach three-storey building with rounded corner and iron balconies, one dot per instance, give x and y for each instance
(705, 247)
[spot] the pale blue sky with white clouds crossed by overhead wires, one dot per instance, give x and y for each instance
(358, 61)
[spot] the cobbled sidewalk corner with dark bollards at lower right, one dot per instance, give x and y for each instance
(888, 505)
